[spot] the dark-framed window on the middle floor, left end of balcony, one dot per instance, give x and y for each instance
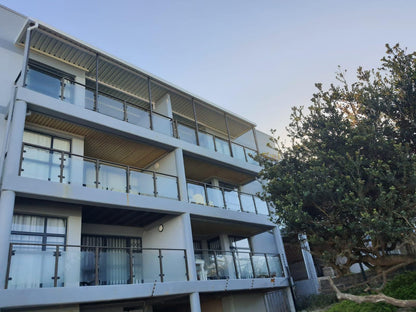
(40, 162)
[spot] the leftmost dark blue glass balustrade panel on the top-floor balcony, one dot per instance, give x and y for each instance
(43, 83)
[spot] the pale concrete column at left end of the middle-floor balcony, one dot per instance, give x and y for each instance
(12, 160)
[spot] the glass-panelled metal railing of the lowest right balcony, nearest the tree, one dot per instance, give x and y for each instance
(219, 264)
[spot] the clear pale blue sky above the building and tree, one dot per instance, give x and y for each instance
(254, 58)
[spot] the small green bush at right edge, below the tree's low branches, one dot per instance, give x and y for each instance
(403, 286)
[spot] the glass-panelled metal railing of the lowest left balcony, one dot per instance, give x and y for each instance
(33, 265)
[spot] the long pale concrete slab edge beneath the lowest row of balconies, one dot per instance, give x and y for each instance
(12, 298)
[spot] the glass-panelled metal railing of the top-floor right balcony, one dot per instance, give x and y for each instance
(216, 143)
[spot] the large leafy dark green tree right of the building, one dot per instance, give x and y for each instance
(348, 178)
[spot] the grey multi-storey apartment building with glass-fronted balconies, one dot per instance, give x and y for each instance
(123, 192)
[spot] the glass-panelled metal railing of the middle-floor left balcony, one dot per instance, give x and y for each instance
(59, 166)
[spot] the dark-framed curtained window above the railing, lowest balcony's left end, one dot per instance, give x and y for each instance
(38, 230)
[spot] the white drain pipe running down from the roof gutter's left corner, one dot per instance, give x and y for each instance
(20, 83)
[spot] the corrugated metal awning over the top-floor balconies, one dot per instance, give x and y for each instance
(121, 76)
